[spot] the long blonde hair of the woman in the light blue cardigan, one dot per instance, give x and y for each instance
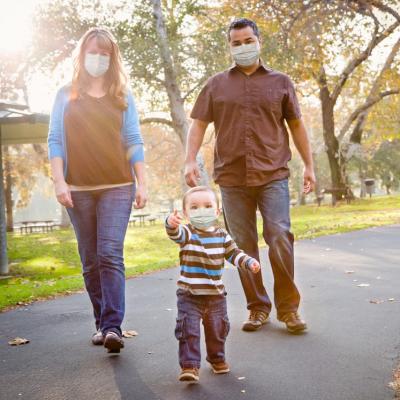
(115, 78)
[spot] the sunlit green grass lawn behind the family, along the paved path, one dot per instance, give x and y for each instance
(43, 265)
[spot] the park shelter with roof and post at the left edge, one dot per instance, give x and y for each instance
(17, 126)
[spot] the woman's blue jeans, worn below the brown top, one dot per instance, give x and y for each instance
(100, 219)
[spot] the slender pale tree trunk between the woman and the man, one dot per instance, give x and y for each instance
(176, 102)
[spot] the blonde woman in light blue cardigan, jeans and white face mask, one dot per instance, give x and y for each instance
(96, 155)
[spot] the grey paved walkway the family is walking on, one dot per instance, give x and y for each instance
(348, 354)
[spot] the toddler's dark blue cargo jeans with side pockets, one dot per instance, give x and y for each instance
(212, 310)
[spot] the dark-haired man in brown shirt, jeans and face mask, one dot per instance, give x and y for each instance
(249, 104)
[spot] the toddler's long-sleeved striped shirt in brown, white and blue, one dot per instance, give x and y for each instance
(202, 255)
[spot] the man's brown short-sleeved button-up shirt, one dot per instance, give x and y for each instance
(248, 111)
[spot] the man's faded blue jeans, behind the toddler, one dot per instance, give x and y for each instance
(240, 205)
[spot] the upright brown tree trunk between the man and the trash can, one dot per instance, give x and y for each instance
(331, 142)
